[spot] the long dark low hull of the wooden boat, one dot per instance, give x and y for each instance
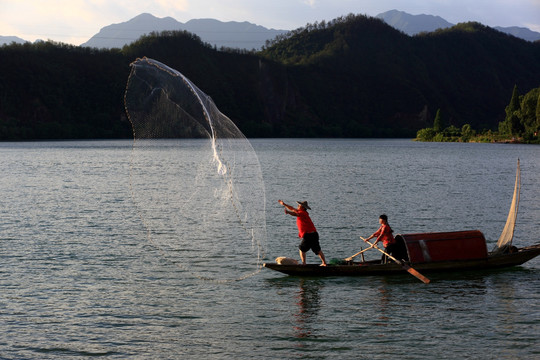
(374, 268)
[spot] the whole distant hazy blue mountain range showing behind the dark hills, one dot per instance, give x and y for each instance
(246, 35)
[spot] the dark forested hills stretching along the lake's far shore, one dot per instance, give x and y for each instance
(353, 76)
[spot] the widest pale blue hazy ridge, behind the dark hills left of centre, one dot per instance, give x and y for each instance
(232, 34)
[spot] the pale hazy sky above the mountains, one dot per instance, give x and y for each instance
(75, 21)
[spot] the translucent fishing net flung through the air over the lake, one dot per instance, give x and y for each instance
(195, 178)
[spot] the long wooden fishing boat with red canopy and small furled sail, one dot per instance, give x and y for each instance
(436, 251)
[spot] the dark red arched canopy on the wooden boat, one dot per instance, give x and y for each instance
(445, 246)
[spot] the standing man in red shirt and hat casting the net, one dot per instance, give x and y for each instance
(306, 230)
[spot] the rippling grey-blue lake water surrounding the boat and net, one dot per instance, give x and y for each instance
(78, 277)
